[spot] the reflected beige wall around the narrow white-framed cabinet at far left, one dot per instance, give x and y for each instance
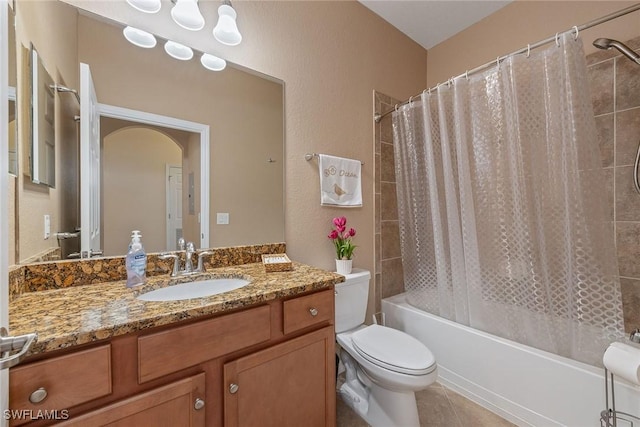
(58, 54)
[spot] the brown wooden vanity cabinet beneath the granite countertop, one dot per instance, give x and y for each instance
(271, 364)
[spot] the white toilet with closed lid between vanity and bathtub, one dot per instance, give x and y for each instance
(384, 366)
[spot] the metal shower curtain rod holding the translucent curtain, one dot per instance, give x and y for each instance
(378, 116)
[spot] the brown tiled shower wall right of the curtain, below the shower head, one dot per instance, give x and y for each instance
(615, 90)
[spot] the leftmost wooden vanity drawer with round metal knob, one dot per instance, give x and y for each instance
(68, 380)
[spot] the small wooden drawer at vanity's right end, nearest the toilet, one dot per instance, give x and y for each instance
(302, 312)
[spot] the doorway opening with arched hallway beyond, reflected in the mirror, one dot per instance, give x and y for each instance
(154, 158)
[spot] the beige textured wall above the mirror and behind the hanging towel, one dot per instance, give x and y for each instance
(331, 56)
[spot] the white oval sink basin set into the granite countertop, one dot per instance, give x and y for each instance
(198, 289)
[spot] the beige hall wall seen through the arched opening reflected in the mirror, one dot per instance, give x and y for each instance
(134, 188)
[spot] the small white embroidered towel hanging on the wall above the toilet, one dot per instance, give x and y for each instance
(340, 181)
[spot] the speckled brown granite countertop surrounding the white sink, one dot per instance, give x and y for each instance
(77, 315)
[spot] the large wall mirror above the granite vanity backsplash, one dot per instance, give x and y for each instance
(243, 111)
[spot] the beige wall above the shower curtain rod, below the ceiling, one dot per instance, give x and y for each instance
(525, 22)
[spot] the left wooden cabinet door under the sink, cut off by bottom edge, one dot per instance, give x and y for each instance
(166, 406)
